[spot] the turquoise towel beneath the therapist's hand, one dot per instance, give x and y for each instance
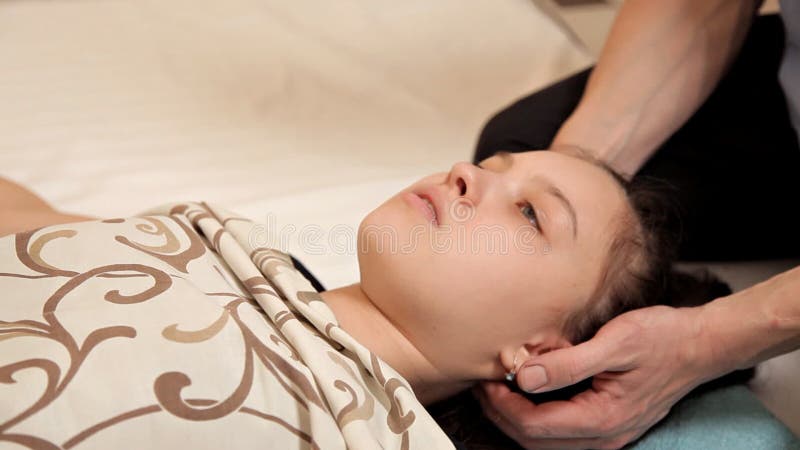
(730, 418)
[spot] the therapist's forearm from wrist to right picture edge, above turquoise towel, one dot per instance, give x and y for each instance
(753, 325)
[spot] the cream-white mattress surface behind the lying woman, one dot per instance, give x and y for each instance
(307, 113)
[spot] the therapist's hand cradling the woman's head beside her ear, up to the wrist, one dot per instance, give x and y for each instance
(643, 362)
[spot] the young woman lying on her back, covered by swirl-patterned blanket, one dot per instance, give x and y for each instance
(175, 328)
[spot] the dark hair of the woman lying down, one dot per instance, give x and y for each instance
(638, 272)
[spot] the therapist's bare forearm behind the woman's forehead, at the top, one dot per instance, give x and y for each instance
(661, 61)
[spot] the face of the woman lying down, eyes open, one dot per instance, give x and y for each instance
(507, 251)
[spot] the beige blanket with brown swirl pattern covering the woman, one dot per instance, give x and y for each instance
(172, 330)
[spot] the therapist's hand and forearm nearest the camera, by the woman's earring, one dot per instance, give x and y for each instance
(643, 362)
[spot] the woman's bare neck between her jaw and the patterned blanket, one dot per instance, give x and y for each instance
(359, 316)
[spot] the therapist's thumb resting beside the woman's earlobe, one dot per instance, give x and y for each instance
(561, 367)
